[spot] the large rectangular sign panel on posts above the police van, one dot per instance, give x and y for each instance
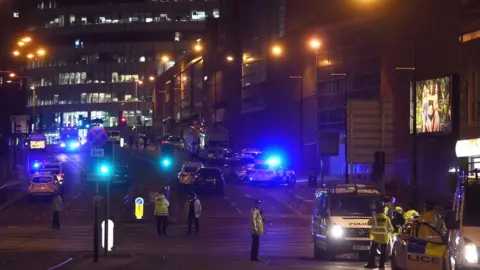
(369, 129)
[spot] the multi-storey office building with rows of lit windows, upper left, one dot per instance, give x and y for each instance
(100, 58)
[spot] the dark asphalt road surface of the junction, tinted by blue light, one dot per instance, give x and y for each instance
(28, 242)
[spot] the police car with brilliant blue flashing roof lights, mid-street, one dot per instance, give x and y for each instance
(270, 171)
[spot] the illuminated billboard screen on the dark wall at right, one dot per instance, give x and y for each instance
(434, 106)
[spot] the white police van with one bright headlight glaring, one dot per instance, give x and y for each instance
(339, 221)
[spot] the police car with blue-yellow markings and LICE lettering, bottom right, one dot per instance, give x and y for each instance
(414, 253)
